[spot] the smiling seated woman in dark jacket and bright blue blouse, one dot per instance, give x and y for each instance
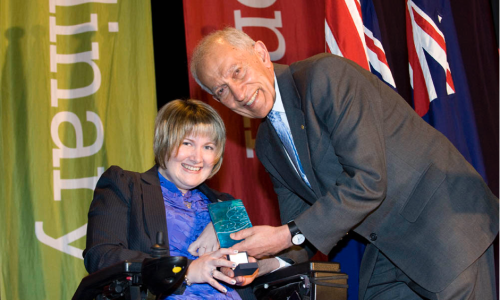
(129, 208)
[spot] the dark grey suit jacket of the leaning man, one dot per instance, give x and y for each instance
(377, 168)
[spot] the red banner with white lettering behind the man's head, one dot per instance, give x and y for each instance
(289, 36)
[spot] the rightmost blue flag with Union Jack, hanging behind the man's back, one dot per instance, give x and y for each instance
(440, 92)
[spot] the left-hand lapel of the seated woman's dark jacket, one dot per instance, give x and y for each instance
(154, 208)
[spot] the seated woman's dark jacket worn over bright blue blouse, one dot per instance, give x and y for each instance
(126, 213)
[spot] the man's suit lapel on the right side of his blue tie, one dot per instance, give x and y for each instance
(295, 115)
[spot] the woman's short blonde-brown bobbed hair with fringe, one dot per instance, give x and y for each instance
(181, 118)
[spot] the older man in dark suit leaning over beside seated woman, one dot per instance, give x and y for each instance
(345, 152)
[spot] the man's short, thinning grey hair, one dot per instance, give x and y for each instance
(231, 35)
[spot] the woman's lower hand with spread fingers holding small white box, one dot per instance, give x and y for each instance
(204, 269)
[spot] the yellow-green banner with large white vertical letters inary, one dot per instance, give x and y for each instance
(77, 94)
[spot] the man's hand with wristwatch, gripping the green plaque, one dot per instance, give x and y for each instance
(260, 241)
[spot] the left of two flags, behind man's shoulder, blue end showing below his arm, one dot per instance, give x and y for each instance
(352, 31)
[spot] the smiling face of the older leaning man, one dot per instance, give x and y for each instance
(242, 80)
